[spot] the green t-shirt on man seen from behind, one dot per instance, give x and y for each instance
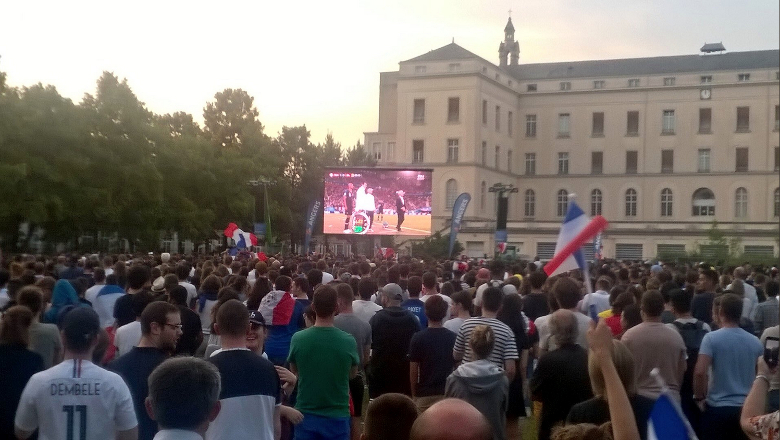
(324, 357)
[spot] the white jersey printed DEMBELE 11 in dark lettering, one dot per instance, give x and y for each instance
(76, 400)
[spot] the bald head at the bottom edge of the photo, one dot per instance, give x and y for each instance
(451, 419)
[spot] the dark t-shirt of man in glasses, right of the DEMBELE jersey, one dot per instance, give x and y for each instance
(135, 368)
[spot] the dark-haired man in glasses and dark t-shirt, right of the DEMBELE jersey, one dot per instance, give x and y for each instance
(160, 330)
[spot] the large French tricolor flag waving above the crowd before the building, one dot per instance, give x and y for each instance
(577, 229)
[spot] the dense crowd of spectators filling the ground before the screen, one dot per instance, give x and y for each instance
(160, 346)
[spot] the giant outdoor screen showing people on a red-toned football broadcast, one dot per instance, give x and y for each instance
(377, 201)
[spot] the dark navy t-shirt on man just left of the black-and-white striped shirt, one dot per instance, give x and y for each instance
(432, 348)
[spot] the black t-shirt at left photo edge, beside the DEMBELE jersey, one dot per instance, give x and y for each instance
(17, 365)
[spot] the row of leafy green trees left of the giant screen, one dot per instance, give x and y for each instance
(109, 167)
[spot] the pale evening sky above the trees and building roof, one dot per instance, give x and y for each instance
(317, 63)
